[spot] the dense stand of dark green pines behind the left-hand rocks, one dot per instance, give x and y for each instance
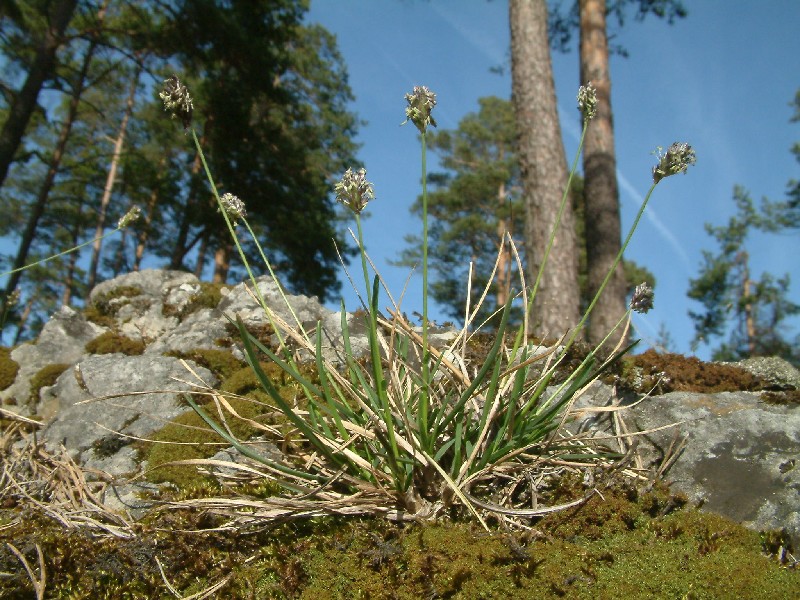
(272, 114)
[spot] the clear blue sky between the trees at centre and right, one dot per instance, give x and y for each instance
(721, 80)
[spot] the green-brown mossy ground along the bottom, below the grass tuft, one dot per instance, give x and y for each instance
(617, 547)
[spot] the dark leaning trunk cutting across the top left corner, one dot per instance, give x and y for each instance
(42, 68)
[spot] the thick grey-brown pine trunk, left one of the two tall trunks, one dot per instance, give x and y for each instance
(544, 170)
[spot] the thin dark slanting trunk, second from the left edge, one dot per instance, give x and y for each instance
(37, 210)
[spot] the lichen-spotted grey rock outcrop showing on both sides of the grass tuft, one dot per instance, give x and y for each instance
(741, 456)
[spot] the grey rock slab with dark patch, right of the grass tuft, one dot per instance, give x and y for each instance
(741, 457)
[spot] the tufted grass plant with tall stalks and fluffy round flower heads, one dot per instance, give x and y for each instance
(413, 429)
